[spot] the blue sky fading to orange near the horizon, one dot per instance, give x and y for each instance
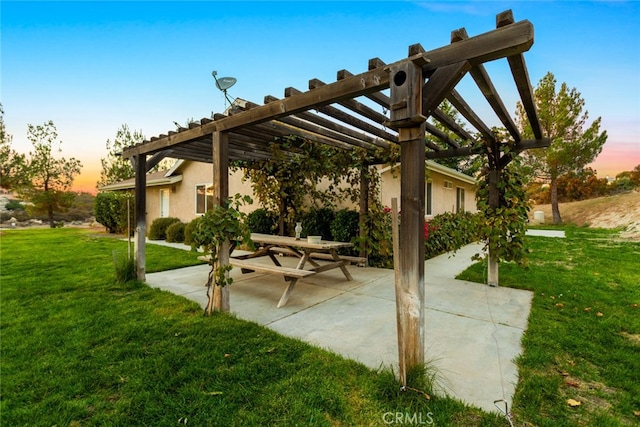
(93, 66)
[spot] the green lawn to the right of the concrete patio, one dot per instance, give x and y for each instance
(583, 339)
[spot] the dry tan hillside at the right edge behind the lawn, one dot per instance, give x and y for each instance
(621, 210)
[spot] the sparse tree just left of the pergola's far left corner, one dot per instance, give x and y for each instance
(114, 167)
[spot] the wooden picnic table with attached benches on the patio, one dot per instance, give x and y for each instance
(308, 253)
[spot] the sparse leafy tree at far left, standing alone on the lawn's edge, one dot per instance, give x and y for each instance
(49, 178)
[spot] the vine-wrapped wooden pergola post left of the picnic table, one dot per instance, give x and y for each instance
(219, 299)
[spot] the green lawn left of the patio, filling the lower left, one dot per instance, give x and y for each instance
(77, 349)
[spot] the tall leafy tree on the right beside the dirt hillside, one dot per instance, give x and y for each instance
(573, 144)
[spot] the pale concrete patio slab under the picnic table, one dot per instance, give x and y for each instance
(472, 331)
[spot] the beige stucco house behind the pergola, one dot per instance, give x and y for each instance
(185, 190)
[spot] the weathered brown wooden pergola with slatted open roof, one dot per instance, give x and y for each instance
(331, 113)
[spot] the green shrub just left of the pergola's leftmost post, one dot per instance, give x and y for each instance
(110, 210)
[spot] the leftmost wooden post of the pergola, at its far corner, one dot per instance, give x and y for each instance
(141, 221)
